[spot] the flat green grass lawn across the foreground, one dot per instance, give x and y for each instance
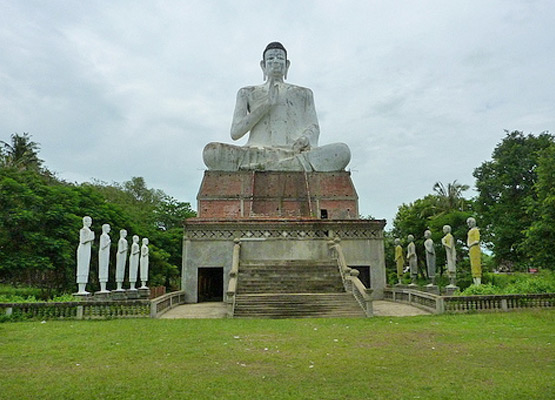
(478, 356)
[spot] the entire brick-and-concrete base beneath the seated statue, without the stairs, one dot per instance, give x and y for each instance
(276, 216)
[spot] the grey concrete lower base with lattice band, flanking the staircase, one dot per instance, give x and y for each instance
(208, 244)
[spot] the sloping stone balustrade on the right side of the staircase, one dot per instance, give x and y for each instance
(351, 282)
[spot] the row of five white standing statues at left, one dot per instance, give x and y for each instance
(138, 259)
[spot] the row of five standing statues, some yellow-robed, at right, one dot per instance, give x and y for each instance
(448, 242)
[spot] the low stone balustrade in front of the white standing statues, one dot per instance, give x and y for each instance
(78, 310)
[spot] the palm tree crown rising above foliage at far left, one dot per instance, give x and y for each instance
(21, 153)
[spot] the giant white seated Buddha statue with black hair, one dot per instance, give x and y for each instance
(282, 125)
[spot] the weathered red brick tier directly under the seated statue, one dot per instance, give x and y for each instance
(253, 194)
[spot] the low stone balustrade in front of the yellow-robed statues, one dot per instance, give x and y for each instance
(453, 304)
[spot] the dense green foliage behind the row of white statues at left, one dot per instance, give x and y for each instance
(40, 217)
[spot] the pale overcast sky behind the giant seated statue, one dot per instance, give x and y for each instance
(421, 91)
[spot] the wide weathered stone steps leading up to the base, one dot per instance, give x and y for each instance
(292, 289)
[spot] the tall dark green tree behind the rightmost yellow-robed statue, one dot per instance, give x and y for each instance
(507, 189)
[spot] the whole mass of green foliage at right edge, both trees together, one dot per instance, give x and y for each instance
(508, 204)
